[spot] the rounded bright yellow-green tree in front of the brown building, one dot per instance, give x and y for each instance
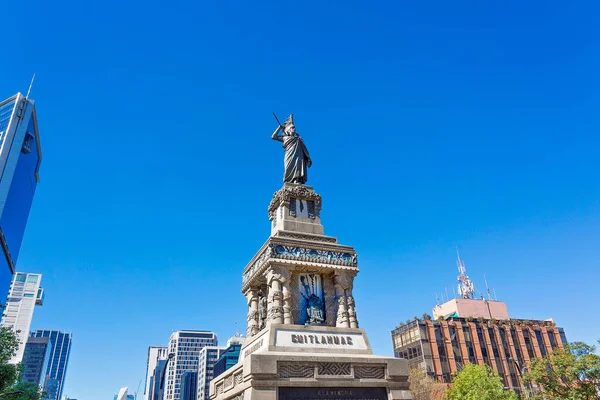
(478, 382)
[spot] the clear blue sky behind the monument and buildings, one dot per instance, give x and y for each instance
(431, 126)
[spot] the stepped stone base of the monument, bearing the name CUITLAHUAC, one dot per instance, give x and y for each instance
(293, 362)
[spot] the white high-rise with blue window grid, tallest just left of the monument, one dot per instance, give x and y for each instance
(186, 346)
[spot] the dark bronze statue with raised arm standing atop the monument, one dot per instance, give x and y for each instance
(296, 160)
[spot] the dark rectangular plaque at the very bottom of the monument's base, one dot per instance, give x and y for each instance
(362, 393)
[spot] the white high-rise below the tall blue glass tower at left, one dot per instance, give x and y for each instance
(24, 294)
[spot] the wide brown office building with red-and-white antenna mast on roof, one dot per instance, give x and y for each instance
(478, 331)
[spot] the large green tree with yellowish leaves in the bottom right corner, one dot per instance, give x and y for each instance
(569, 373)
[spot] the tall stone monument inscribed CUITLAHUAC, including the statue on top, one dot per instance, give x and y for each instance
(303, 336)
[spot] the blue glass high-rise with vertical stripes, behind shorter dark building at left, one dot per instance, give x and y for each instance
(59, 361)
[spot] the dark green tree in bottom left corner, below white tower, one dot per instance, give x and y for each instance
(10, 374)
